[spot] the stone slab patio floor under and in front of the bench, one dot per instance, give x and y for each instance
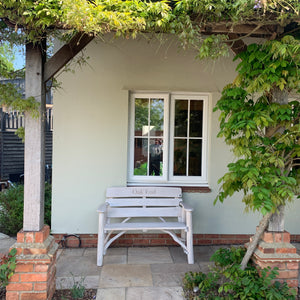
(150, 273)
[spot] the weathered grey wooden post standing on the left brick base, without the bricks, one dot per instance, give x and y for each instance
(34, 156)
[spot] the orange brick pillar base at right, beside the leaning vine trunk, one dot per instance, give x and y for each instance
(275, 250)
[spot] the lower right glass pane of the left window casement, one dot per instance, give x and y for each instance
(156, 157)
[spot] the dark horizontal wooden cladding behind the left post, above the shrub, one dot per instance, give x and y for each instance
(12, 153)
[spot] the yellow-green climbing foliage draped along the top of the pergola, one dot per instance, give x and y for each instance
(34, 21)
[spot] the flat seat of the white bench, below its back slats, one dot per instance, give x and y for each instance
(145, 226)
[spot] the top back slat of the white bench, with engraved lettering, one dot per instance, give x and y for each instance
(152, 192)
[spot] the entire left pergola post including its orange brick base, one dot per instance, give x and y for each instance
(34, 276)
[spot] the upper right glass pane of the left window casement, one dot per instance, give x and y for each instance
(156, 117)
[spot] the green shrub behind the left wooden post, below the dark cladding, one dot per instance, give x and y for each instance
(11, 209)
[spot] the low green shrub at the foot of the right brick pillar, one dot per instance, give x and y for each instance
(227, 281)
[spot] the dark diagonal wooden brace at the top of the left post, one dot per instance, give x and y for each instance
(65, 54)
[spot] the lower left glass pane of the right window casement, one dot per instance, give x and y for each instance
(180, 157)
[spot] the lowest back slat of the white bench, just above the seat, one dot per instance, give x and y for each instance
(124, 212)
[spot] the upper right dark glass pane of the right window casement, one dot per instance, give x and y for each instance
(196, 117)
